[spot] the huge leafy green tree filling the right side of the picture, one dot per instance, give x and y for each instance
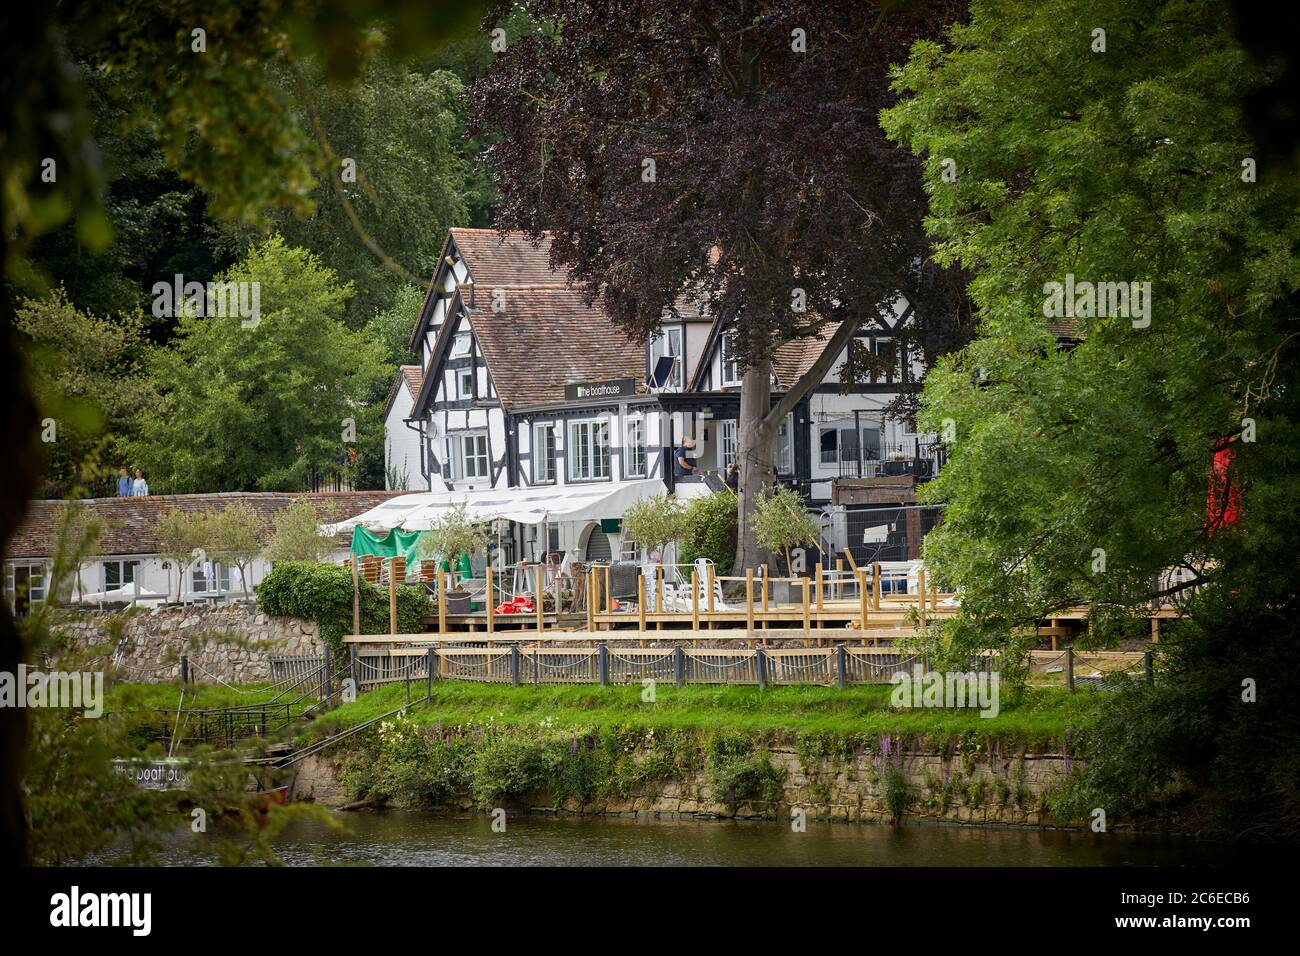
(1084, 473)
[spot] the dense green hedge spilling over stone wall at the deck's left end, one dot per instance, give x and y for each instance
(324, 594)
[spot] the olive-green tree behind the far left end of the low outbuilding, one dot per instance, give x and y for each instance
(89, 386)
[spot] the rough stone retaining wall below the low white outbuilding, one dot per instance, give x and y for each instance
(232, 643)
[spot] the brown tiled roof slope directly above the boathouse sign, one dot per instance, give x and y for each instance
(548, 338)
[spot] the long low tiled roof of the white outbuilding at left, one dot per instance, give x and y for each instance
(131, 524)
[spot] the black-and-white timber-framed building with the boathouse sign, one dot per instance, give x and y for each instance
(523, 384)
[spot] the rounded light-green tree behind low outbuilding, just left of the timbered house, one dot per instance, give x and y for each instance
(263, 404)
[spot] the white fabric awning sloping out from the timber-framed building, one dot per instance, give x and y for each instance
(587, 503)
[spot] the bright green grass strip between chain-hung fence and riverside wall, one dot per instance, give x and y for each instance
(1038, 716)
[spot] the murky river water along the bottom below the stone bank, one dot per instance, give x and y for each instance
(441, 840)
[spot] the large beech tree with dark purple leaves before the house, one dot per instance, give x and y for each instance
(730, 153)
